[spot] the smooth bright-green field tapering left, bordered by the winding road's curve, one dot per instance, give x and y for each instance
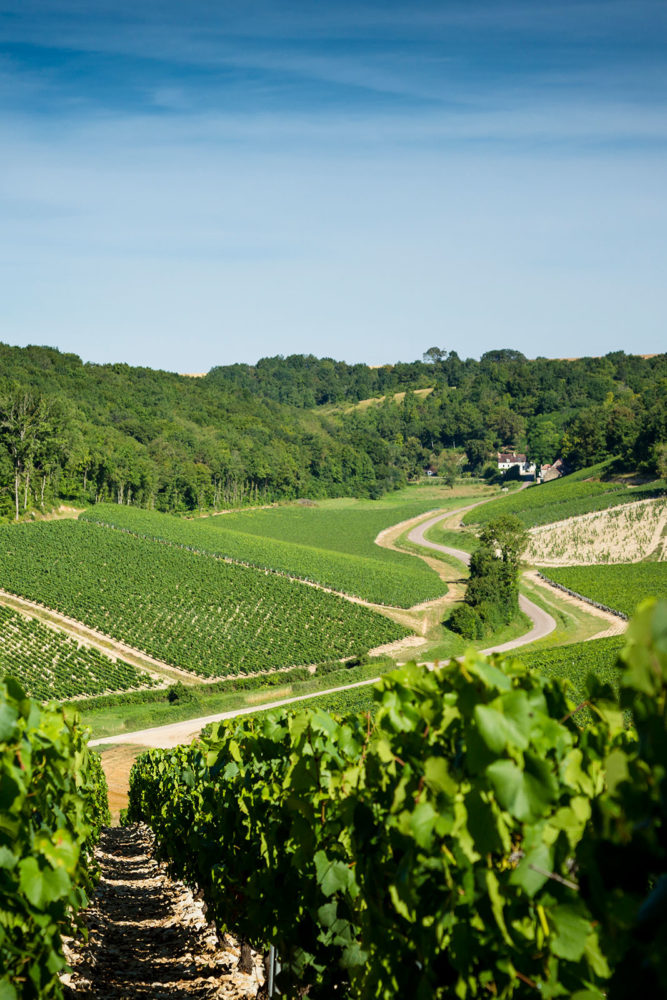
(331, 543)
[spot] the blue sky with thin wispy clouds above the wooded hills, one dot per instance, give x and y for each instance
(184, 184)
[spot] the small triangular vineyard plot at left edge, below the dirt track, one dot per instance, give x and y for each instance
(49, 665)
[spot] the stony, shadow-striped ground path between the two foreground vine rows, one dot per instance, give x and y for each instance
(148, 936)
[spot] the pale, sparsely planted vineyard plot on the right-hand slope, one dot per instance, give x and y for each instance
(629, 533)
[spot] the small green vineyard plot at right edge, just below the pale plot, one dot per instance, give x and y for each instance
(621, 586)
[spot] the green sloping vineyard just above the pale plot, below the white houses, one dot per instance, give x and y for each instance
(562, 498)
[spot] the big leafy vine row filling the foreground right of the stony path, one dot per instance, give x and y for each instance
(463, 835)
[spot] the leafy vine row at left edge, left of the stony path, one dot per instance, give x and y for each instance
(54, 801)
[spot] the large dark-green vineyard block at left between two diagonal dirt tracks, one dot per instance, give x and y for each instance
(198, 613)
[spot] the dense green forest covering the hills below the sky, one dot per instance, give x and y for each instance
(289, 427)
